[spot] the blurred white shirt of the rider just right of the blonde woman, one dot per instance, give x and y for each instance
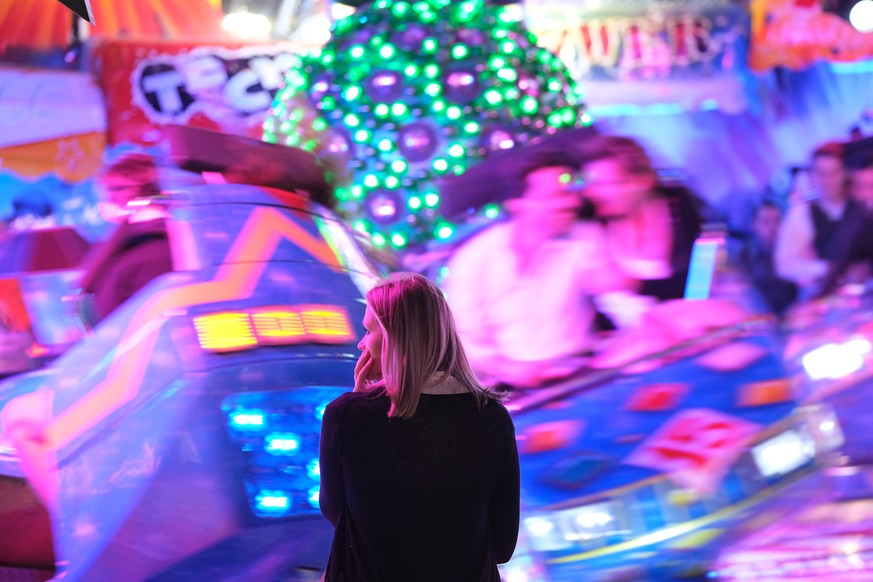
(540, 313)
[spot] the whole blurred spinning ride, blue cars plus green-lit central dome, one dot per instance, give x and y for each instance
(178, 438)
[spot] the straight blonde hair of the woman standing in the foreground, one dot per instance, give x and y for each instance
(420, 343)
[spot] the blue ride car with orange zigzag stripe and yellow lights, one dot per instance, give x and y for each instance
(178, 440)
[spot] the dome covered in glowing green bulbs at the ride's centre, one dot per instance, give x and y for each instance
(407, 93)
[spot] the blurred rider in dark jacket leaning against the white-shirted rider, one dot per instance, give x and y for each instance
(650, 228)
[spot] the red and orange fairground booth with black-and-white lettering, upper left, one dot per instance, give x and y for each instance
(76, 95)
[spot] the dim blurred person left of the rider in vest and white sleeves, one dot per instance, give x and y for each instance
(755, 259)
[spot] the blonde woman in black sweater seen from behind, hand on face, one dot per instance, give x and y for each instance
(419, 465)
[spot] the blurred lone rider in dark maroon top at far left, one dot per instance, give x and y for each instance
(138, 250)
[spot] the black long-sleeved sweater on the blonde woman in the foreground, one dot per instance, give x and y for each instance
(430, 498)
